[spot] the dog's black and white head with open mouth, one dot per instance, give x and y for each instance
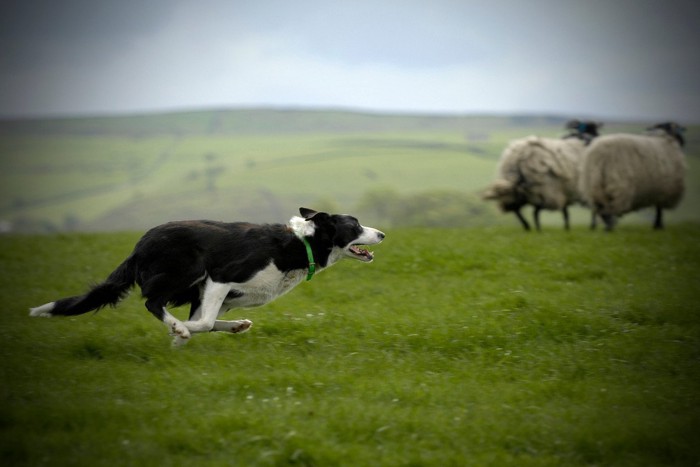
(341, 236)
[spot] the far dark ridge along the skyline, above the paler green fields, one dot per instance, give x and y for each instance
(268, 121)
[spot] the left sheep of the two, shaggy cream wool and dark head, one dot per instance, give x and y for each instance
(542, 172)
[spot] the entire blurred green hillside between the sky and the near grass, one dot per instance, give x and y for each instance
(132, 172)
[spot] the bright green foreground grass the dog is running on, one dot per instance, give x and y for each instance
(455, 347)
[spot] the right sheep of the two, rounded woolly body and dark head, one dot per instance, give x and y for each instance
(622, 173)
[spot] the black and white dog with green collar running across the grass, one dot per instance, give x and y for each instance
(216, 266)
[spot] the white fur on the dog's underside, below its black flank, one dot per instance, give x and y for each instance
(263, 287)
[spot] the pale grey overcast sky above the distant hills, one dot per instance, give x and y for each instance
(590, 58)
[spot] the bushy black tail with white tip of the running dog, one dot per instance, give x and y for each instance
(109, 292)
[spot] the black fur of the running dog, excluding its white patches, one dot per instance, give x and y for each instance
(171, 261)
